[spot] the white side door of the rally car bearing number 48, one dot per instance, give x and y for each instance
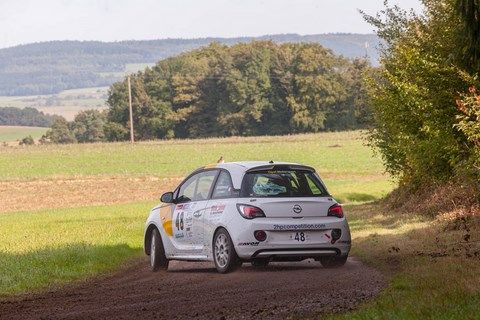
(191, 199)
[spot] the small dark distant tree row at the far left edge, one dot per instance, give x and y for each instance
(29, 117)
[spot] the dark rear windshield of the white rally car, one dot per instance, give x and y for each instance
(282, 183)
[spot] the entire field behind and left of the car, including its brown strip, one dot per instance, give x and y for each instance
(44, 231)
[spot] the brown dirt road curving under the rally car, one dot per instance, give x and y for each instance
(195, 290)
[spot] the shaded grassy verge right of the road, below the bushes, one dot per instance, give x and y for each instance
(432, 263)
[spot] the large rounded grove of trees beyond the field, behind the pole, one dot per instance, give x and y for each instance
(259, 88)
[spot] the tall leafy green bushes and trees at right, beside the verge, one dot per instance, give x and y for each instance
(425, 101)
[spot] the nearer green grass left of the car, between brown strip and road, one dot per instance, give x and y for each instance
(51, 247)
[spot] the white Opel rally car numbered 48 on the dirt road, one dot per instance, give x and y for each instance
(253, 212)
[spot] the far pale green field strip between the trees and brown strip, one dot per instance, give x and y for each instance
(349, 168)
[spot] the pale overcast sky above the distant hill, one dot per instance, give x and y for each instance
(27, 21)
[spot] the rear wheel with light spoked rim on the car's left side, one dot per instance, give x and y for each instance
(224, 254)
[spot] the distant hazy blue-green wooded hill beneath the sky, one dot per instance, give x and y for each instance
(50, 67)
